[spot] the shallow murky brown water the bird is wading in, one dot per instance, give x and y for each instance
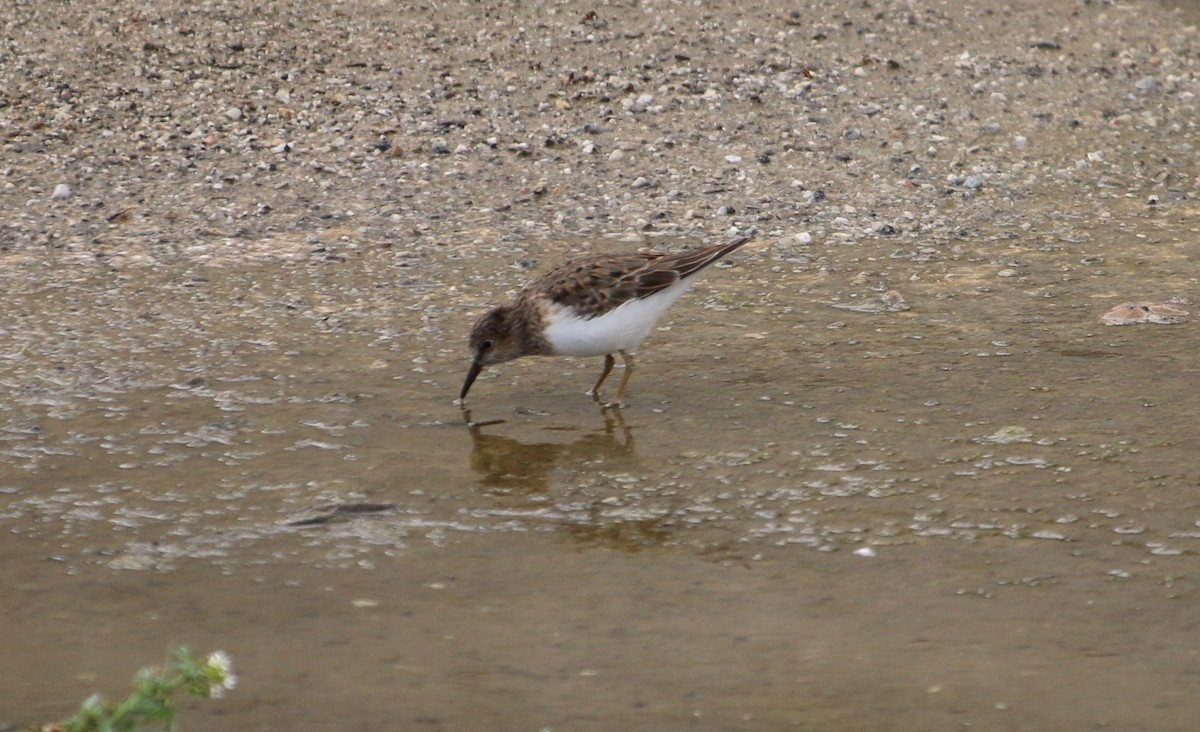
(980, 512)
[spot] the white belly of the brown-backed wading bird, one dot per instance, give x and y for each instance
(621, 329)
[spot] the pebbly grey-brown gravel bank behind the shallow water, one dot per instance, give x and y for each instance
(135, 133)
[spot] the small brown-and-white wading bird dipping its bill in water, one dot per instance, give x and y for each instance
(590, 307)
